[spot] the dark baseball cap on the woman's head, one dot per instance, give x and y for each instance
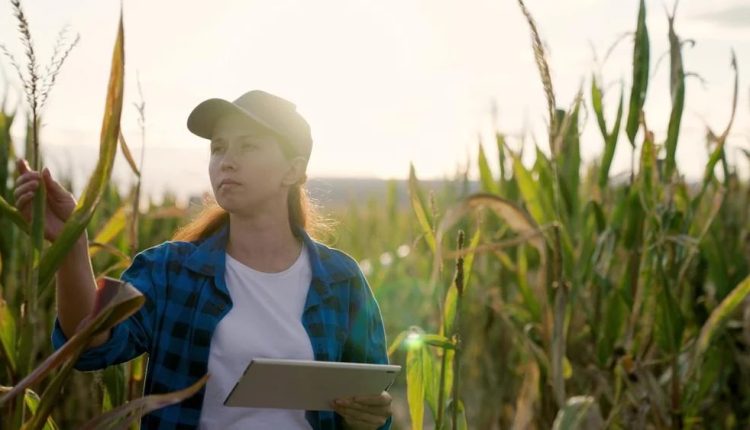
(265, 109)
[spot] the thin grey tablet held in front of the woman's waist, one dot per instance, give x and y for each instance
(306, 384)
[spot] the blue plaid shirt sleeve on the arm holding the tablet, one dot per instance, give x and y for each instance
(366, 342)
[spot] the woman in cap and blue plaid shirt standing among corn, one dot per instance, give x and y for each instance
(243, 280)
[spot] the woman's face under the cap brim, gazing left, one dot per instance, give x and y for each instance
(248, 170)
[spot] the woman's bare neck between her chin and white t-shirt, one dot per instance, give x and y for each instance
(264, 242)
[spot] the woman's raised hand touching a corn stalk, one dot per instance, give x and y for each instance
(60, 202)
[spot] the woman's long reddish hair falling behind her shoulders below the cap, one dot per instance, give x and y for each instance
(303, 214)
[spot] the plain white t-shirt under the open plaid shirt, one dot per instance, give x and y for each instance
(265, 321)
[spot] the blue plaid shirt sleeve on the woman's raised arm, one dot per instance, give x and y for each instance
(133, 336)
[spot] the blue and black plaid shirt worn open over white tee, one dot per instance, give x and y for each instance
(186, 296)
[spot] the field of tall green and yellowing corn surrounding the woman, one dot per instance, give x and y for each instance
(556, 296)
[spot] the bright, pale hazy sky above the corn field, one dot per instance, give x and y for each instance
(383, 83)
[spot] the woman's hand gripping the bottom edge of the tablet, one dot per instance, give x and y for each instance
(364, 413)
